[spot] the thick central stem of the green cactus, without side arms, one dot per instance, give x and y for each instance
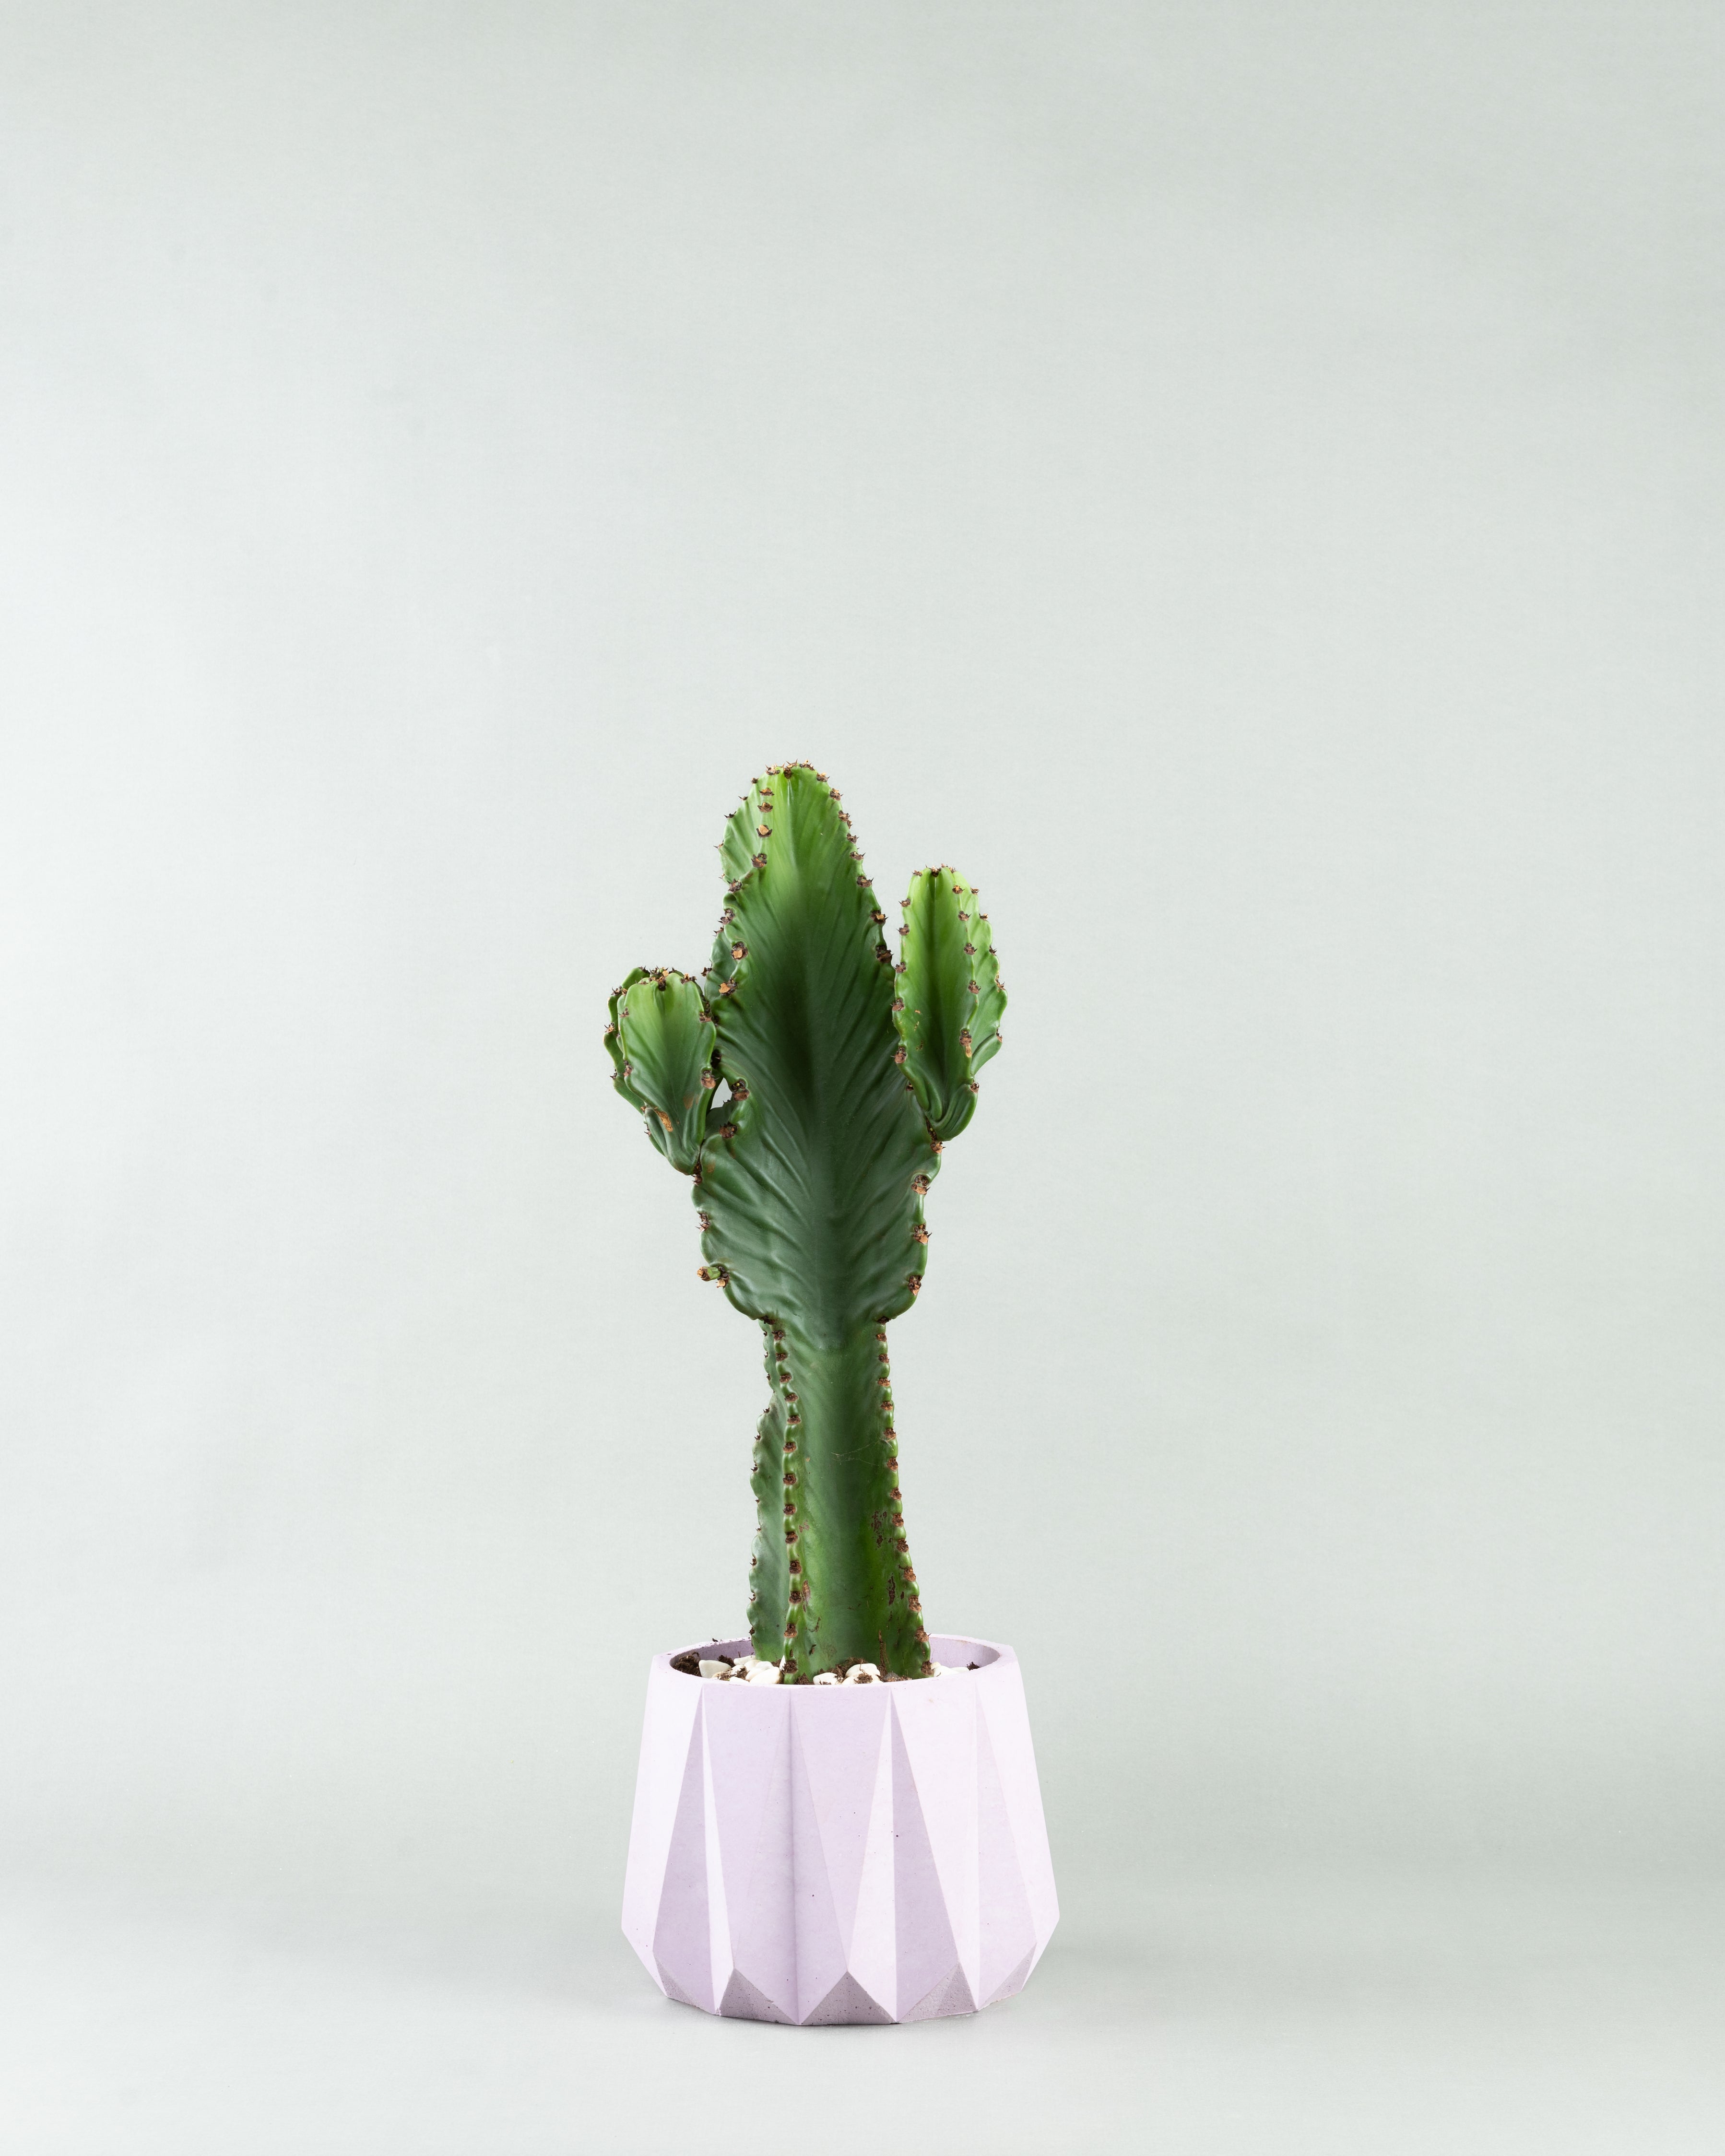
(812, 1198)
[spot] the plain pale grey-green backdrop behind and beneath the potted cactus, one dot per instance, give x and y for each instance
(1245, 484)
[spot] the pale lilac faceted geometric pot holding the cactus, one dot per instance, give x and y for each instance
(857, 1853)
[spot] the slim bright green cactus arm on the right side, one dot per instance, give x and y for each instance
(950, 997)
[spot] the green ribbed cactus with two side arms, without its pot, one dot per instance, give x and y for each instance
(808, 1088)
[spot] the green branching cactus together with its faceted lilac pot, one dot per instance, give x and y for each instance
(838, 1819)
